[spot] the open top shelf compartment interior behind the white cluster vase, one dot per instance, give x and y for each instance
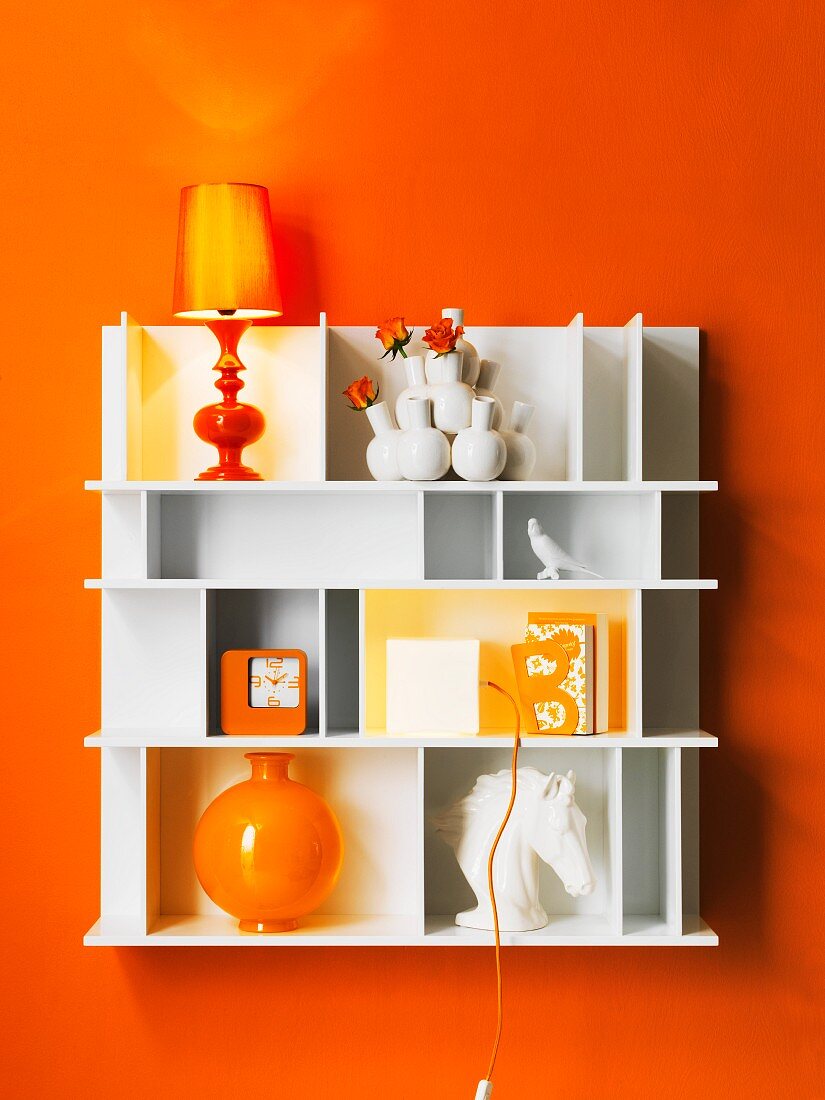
(540, 366)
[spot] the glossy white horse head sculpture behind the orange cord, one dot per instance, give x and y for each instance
(546, 824)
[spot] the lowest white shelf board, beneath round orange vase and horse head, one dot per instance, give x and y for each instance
(386, 932)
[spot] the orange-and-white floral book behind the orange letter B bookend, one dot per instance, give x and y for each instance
(585, 641)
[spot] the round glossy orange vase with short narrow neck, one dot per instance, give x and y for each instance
(269, 851)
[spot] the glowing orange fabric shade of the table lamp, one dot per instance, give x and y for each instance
(226, 261)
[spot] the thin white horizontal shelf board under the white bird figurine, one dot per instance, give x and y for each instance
(315, 584)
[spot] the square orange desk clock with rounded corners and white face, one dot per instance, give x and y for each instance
(265, 691)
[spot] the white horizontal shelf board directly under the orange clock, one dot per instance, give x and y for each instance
(184, 739)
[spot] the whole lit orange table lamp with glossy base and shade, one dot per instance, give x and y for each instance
(226, 277)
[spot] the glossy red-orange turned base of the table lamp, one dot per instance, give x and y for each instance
(229, 425)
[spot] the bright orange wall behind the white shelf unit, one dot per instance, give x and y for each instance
(529, 160)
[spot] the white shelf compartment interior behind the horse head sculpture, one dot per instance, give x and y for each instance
(450, 774)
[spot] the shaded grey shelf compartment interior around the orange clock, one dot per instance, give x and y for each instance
(266, 619)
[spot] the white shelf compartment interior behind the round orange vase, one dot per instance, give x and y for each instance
(375, 797)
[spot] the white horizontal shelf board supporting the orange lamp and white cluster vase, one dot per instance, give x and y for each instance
(371, 487)
